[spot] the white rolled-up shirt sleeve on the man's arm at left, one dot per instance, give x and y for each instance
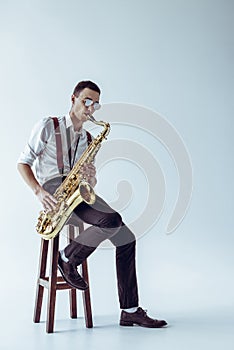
(37, 142)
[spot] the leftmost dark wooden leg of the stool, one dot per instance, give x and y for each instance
(41, 274)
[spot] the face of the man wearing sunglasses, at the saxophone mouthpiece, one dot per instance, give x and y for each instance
(79, 109)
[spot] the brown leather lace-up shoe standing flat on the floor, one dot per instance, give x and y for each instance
(140, 318)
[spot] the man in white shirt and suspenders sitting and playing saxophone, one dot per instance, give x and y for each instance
(106, 223)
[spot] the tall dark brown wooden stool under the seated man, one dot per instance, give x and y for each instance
(53, 283)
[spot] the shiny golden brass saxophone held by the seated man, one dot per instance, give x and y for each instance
(73, 190)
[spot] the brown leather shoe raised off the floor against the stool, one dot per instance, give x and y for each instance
(71, 275)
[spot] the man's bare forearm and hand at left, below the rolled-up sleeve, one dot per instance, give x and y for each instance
(47, 200)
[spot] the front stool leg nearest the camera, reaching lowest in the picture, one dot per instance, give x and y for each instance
(52, 285)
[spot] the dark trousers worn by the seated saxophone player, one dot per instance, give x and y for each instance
(107, 224)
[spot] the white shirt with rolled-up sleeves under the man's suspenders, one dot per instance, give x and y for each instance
(40, 151)
